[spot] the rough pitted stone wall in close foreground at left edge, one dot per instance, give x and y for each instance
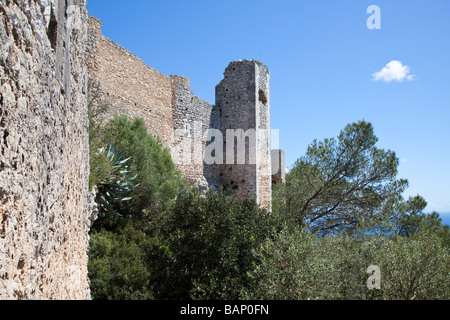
(44, 159)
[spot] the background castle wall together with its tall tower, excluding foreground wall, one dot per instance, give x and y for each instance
(182, 120)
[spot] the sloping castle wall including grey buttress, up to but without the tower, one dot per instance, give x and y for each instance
(170, 110)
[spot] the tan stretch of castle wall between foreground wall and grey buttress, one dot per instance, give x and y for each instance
(132, 87)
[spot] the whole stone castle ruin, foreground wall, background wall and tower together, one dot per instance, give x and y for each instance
(48, 51)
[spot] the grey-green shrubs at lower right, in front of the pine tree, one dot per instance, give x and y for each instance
(301, 265)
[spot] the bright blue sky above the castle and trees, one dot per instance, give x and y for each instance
(322, 58)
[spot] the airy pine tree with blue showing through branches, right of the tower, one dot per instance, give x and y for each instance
(340, 180)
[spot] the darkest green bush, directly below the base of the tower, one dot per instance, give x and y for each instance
(207, 244)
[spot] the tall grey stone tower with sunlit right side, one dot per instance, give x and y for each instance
(243, 101)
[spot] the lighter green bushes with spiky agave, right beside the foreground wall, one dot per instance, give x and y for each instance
(121, 244)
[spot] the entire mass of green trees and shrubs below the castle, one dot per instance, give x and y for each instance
(340, 212)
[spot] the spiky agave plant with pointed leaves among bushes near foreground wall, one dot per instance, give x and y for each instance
(117, 186)
